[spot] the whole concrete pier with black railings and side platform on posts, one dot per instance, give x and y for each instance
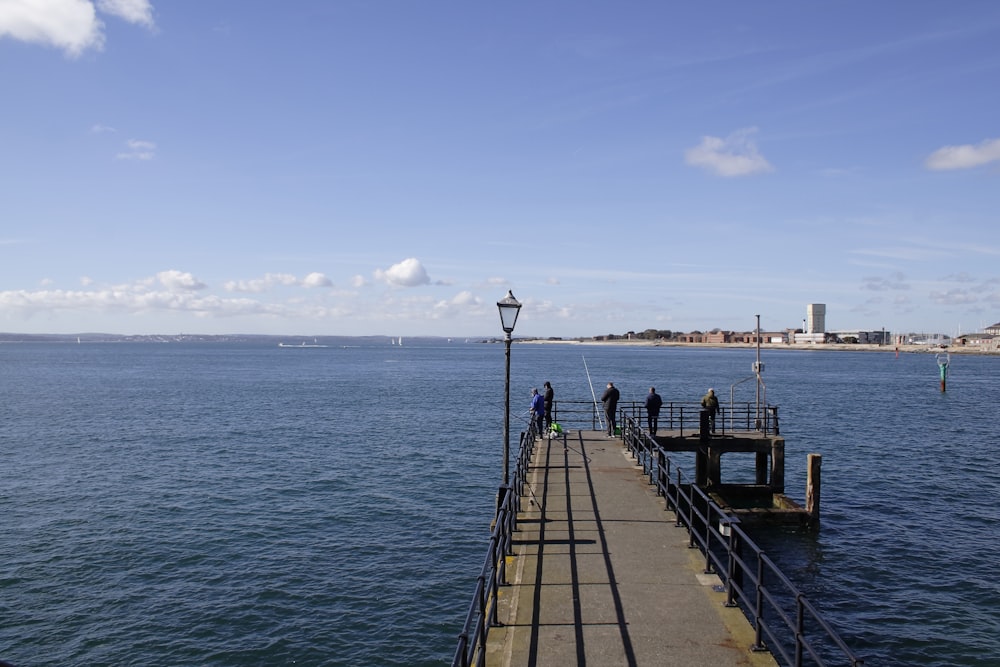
(604, 553)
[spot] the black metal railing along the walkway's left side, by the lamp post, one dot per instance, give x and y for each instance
(482, 614)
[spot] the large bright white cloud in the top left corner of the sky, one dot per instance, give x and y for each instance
(70, 25)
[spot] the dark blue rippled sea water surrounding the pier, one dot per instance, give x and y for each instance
(238, 504)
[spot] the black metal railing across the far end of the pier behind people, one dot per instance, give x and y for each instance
(684, 417)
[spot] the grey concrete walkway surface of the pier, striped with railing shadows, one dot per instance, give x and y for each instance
(602, 576)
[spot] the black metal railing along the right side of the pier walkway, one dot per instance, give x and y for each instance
(784, 621)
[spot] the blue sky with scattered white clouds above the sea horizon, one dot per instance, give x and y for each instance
(343, 167)
